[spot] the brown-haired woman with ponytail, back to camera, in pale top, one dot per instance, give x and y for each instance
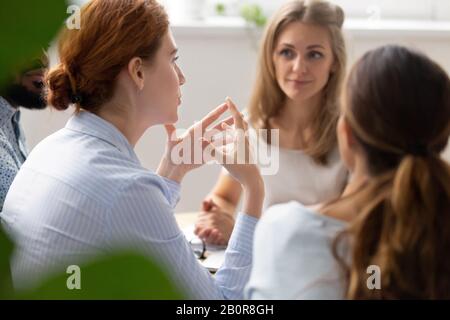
(393, 217)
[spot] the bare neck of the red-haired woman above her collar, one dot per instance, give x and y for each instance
(124, 119)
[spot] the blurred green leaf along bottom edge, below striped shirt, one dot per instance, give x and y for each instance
(121, 276)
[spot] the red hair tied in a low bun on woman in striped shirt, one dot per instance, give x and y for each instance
(112, 32)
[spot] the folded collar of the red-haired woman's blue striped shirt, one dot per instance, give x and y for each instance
(91, 124)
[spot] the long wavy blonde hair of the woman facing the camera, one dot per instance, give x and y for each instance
(268, 99)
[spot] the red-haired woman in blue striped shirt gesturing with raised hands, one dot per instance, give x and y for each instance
(90, 193)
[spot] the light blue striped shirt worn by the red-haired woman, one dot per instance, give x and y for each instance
(82, 192)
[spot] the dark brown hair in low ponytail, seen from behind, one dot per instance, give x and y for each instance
(397, 103)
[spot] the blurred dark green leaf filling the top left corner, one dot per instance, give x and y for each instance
(27, 27)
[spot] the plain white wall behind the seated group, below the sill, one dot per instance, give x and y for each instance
(220, 62)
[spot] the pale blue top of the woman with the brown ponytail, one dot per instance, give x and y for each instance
(293, 255)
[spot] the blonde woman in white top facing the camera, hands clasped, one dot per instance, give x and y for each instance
(301, 68)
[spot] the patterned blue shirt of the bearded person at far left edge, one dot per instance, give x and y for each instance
(13, 151)
